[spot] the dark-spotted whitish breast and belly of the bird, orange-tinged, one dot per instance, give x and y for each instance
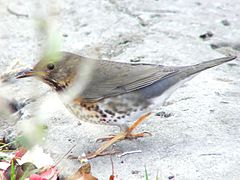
(116, 110)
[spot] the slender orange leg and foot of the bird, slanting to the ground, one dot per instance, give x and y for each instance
(121, 136)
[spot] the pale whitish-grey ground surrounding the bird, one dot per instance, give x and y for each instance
(199, 140)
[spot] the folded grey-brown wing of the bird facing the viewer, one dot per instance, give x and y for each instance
(112, 78)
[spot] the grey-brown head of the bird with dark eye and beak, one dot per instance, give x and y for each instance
(57, 70)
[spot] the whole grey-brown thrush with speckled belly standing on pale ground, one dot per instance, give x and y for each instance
(113, 93)
